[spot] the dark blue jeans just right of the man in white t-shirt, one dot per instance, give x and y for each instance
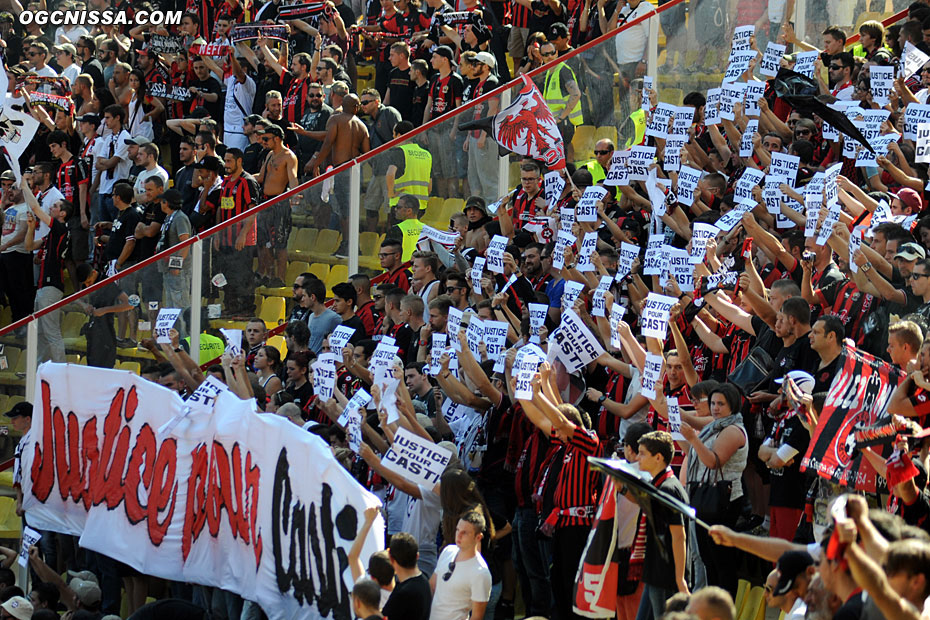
(532, 566)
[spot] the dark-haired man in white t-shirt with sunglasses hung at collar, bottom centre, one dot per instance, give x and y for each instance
(462, 581)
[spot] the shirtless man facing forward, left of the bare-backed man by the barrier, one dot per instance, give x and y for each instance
(277, 175)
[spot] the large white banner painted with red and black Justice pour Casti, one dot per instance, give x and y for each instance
(227, 498)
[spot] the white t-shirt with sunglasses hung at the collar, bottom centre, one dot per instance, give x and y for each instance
(470, 581)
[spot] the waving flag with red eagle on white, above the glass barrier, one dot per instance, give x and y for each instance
(526, 127)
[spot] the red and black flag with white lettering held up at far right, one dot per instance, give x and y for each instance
(857, 399)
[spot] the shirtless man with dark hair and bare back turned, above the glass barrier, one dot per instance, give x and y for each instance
(346, 139)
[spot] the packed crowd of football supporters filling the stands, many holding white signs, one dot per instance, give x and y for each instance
(149, 136)
